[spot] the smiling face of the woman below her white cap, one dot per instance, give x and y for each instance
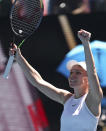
(78, 77)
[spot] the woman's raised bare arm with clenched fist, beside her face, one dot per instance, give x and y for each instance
(95, 92)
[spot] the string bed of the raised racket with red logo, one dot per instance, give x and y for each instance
(26, 16)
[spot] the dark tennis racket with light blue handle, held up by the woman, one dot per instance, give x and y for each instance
(25, 18)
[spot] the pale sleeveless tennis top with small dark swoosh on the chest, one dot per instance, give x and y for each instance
(77, 117)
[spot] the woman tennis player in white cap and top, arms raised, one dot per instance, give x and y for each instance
(81, 109)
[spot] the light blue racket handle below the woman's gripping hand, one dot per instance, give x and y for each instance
(8, 67)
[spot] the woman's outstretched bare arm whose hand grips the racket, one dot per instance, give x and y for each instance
(56, 94)
